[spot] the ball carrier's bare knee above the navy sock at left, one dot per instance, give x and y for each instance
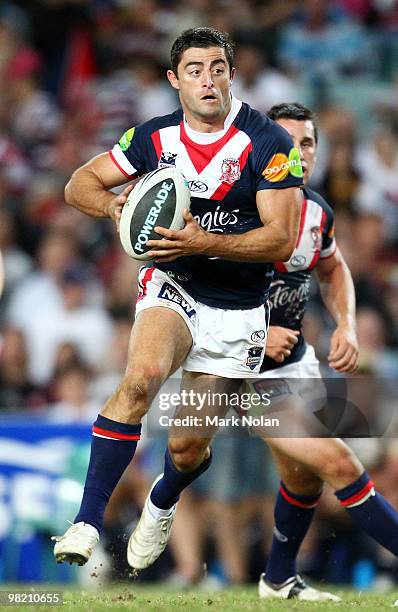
(136, 391)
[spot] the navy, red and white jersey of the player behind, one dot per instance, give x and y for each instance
(290, 288)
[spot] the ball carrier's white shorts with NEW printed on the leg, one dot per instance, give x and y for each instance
(228, 343)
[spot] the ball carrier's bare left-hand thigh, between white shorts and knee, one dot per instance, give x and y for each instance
(160, 341)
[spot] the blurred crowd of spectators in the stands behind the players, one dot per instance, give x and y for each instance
(74, 75)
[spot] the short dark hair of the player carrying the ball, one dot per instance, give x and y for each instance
(201, 37)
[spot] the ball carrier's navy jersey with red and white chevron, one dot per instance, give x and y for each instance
(224, 171)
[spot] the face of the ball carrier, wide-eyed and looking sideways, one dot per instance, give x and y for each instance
(204, 81)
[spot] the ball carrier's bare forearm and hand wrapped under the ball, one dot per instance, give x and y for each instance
(279, 211)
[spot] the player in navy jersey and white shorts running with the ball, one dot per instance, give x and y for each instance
(203, 301)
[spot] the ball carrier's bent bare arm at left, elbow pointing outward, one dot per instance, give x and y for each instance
(88, 188)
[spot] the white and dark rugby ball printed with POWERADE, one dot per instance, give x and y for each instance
(158, 199)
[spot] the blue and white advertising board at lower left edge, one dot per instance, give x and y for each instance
(42, 469)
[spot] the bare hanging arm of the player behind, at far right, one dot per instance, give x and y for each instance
(338, 294)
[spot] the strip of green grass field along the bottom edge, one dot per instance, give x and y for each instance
(133, 597)
